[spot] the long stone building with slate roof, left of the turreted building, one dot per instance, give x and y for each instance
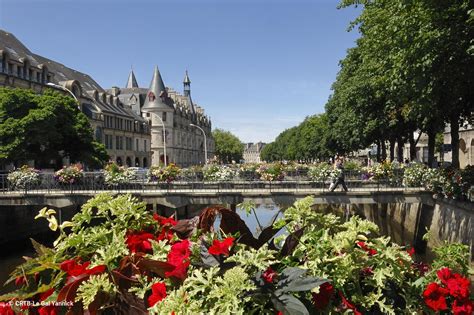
(125, 134)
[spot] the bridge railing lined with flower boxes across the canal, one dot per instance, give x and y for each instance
(95, 182)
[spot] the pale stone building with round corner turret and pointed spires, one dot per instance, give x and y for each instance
(164, 107)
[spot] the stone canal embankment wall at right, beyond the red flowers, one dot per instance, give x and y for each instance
(407, 223)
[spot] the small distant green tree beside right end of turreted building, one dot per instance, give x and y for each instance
(228, 147)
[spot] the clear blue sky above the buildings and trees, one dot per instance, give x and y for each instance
(257, 67)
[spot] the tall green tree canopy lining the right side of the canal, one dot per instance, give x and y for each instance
(412, 69)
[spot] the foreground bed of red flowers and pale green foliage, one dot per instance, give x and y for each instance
(130, 261)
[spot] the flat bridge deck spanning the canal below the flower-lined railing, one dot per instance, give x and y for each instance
(176, 197)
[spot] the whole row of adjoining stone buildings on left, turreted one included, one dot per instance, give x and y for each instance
(124, 120)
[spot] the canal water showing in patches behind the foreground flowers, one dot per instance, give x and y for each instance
(12, 254)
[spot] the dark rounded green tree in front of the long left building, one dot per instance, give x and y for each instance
(45, 128)
